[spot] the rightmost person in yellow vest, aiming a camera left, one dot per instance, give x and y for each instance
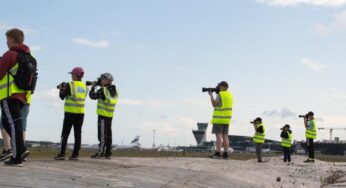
(310, 134)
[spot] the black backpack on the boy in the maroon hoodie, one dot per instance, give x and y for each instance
(26, 76)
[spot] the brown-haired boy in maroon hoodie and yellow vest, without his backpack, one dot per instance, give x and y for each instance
(11, 96)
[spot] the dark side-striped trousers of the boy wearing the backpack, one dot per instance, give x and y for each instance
(11, 120)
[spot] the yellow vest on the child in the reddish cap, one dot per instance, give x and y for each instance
(75, 103)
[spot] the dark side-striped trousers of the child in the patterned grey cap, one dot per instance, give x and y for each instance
(105, 135)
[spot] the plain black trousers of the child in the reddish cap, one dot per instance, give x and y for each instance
(75, 120)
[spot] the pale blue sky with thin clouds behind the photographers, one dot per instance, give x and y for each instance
(281, 58)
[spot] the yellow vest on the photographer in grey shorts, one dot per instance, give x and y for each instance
(223, 114)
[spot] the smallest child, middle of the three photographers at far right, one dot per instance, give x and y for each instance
(286, 143)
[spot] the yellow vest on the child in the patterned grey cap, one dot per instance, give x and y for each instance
(106, 107)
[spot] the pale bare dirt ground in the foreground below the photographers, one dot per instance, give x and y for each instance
(173, 172)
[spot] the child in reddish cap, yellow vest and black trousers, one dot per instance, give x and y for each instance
(74, 94)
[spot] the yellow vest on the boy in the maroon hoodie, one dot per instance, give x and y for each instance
(7, 85)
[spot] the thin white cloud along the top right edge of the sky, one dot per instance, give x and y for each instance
(318, 3)
